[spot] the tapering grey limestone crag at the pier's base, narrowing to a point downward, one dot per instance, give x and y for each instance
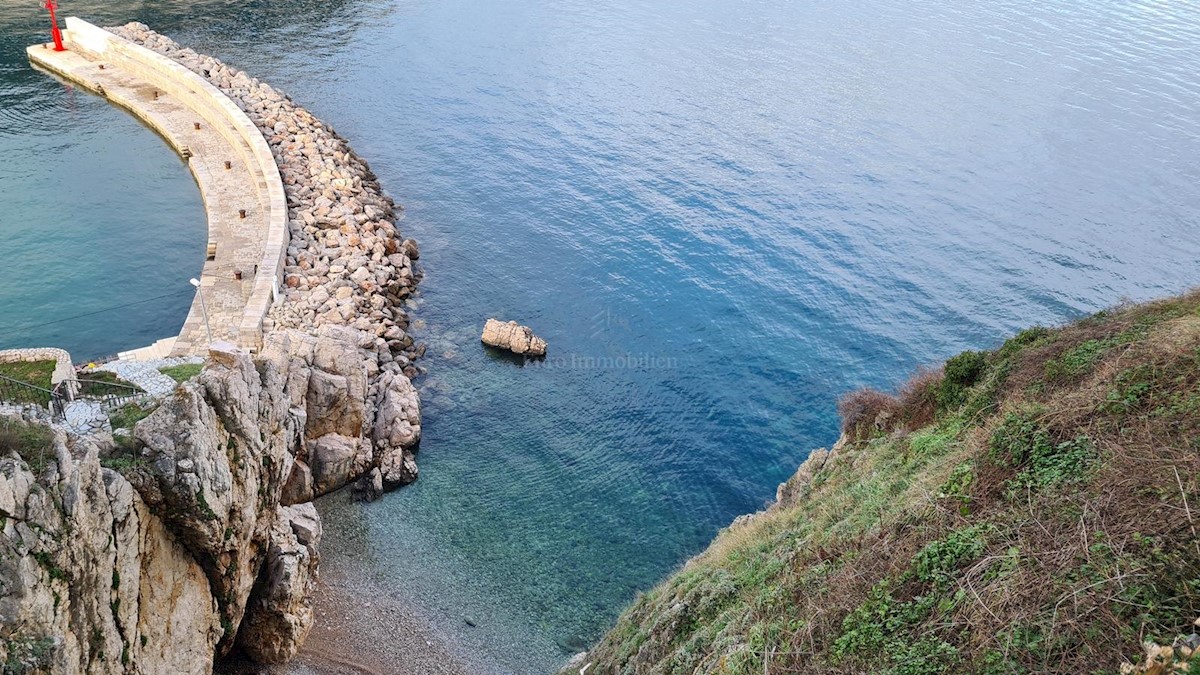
(218, 450)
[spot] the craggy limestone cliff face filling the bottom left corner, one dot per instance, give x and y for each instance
(92, 581)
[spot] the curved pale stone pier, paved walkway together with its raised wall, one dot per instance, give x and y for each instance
(233, 166)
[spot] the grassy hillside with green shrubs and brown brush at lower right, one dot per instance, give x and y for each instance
(1035, 510)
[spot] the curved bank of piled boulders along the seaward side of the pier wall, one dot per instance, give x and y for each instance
(347, 277)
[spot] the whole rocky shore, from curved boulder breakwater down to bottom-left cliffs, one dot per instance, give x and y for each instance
(195, 536)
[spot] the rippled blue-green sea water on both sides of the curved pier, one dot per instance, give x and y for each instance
(760, 206)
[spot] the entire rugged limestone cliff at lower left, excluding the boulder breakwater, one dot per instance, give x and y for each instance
(188, 552)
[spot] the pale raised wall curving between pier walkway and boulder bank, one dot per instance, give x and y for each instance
(217, 110)
